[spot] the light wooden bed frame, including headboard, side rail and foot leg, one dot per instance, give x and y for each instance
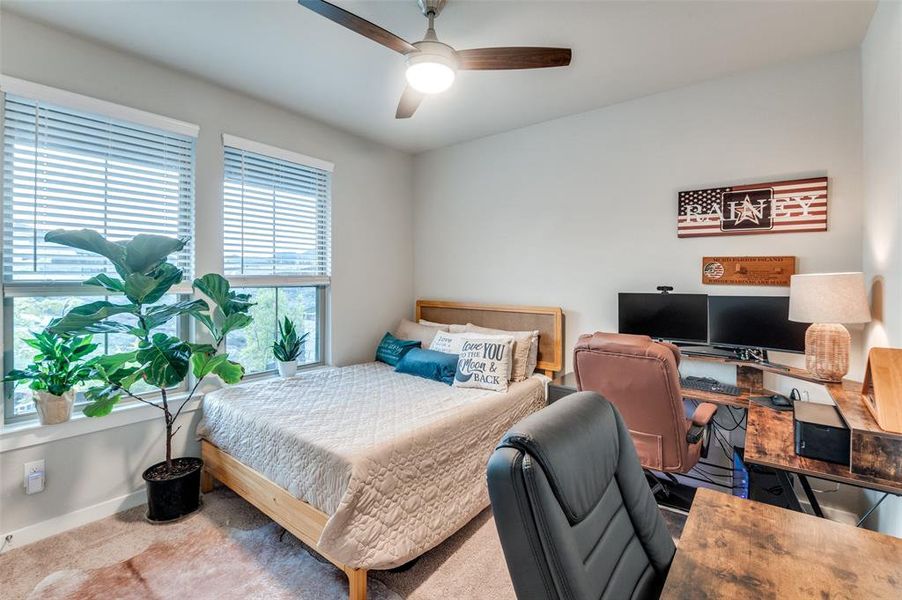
(306, 522)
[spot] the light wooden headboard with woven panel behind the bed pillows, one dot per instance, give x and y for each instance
(548, 320)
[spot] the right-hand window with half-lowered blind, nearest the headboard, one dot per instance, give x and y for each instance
(276, 245)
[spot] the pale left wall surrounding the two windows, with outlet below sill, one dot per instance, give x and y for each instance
(372, 251)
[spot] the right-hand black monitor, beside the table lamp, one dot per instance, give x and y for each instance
(755, 322)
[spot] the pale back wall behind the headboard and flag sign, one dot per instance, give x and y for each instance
(571, 211)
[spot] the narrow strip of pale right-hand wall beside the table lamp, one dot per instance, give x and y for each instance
(881, 60)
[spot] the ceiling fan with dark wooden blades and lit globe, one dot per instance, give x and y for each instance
(431, 64)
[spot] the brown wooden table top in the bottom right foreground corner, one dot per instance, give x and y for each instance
(735, 548)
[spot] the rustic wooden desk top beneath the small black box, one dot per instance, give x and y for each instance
(769, 441)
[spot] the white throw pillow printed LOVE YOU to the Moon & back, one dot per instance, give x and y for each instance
(484, 363)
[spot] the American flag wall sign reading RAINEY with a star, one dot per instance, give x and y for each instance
(777, 207)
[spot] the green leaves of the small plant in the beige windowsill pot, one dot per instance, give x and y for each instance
(60, 364)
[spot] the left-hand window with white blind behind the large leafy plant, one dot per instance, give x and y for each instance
(75, 162)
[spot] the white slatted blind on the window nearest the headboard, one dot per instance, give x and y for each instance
(276, 216)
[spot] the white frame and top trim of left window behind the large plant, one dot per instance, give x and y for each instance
(10, 290)
